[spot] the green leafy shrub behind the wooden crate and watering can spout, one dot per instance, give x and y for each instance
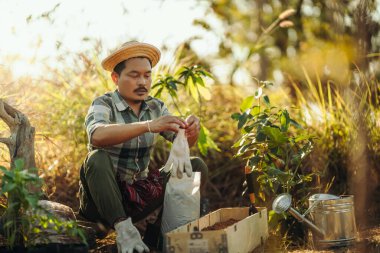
(274, 146)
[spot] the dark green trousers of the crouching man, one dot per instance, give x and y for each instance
(100, 196)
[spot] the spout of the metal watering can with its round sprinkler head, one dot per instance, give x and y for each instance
(283, 203)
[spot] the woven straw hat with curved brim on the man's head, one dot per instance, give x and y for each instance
(130, 50)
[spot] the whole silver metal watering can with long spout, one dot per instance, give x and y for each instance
(333, 216)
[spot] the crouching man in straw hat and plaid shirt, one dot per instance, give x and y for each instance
(115, 185)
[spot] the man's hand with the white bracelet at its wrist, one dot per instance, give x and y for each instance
(167, 123)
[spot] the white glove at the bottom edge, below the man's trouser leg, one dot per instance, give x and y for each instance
(128, 238)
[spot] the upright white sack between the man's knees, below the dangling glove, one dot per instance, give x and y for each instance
(181, 201)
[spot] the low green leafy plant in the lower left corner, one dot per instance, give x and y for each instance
(24, 219)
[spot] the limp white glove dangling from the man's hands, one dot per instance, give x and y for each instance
(179, 158)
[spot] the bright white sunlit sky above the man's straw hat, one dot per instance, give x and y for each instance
(40, 29)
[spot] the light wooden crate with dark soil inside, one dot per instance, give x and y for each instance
(243, 236)
